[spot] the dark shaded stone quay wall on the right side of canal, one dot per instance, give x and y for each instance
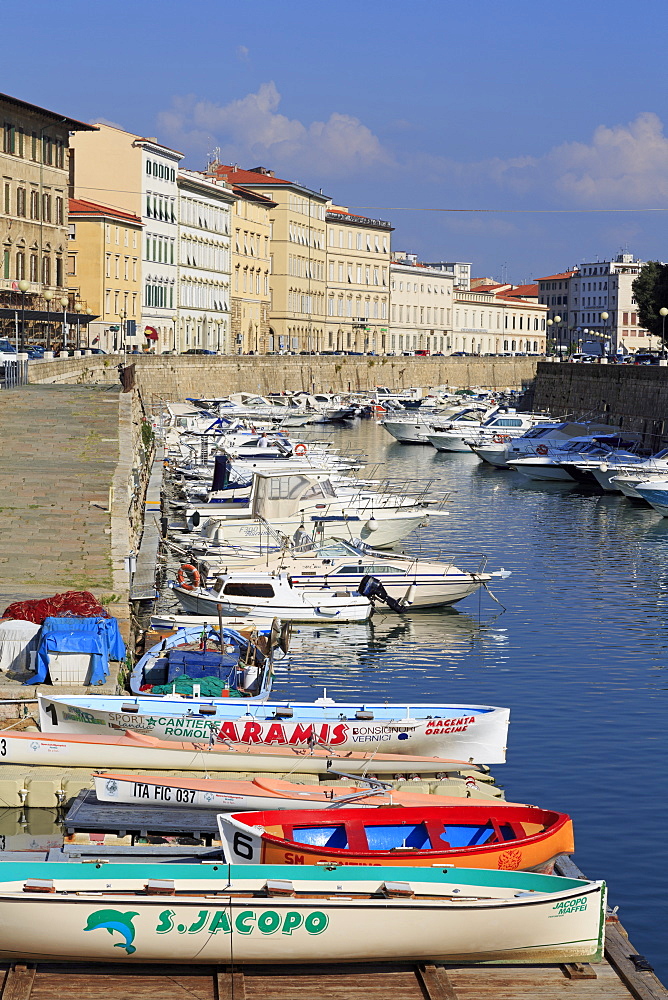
(633, 397)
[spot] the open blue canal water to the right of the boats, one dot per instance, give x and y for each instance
(579, 657)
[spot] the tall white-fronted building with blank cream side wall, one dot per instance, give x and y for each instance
(138, 175)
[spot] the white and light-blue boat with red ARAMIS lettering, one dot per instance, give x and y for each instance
(469, 732)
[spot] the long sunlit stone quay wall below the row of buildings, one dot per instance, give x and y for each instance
(177, 377)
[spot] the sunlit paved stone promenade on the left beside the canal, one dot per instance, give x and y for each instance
(58, 453)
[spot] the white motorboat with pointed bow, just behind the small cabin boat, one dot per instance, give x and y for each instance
(413, 582)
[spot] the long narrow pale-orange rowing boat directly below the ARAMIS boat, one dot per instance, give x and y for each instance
(135, 750)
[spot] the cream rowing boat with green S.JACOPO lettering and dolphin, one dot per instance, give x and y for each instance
(278, 914)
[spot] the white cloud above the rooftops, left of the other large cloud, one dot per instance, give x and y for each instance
(252, 130)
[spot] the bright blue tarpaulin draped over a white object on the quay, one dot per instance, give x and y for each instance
(99, 637)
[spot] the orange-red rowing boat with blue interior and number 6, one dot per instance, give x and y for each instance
(493, 835)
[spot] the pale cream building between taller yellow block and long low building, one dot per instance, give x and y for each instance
(422, 306)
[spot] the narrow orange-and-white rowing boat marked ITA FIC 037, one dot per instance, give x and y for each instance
(262, 792)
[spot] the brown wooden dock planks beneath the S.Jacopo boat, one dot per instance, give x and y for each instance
(378, 981)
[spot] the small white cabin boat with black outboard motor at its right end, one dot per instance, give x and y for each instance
(265, 596)
